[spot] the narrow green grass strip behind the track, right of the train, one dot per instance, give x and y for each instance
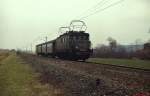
(134, 63)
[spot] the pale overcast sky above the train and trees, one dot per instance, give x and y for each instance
(23, 22)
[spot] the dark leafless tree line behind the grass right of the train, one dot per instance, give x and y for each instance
(116, 50)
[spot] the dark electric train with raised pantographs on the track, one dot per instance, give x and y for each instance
(74, 44)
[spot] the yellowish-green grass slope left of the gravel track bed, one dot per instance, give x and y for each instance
(18, 79)
